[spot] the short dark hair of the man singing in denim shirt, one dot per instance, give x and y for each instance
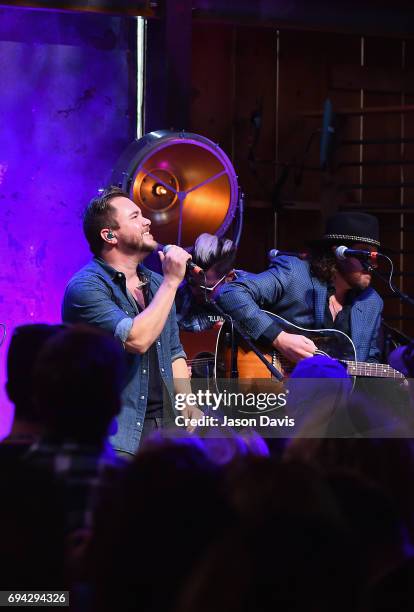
(99, 214)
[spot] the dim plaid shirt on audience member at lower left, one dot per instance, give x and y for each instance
(82, 471)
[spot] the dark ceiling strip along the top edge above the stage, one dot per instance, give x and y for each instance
(381, 17)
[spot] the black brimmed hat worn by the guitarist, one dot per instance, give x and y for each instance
(349, 227)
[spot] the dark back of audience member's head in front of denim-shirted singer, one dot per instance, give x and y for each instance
(78, 379)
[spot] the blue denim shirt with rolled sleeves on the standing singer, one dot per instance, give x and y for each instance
(97, 295)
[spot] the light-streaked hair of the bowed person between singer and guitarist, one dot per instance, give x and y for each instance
(210, 251)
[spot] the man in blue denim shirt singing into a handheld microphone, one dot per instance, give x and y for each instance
(116, 292)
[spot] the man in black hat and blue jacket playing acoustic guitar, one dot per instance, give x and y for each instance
(321, 292)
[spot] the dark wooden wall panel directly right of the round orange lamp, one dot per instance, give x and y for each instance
(254, 128)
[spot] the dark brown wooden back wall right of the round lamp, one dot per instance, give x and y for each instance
(235, 70)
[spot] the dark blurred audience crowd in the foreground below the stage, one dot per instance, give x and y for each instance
(194, 523)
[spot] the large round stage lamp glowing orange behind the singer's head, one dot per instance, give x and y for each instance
(183, 182)
